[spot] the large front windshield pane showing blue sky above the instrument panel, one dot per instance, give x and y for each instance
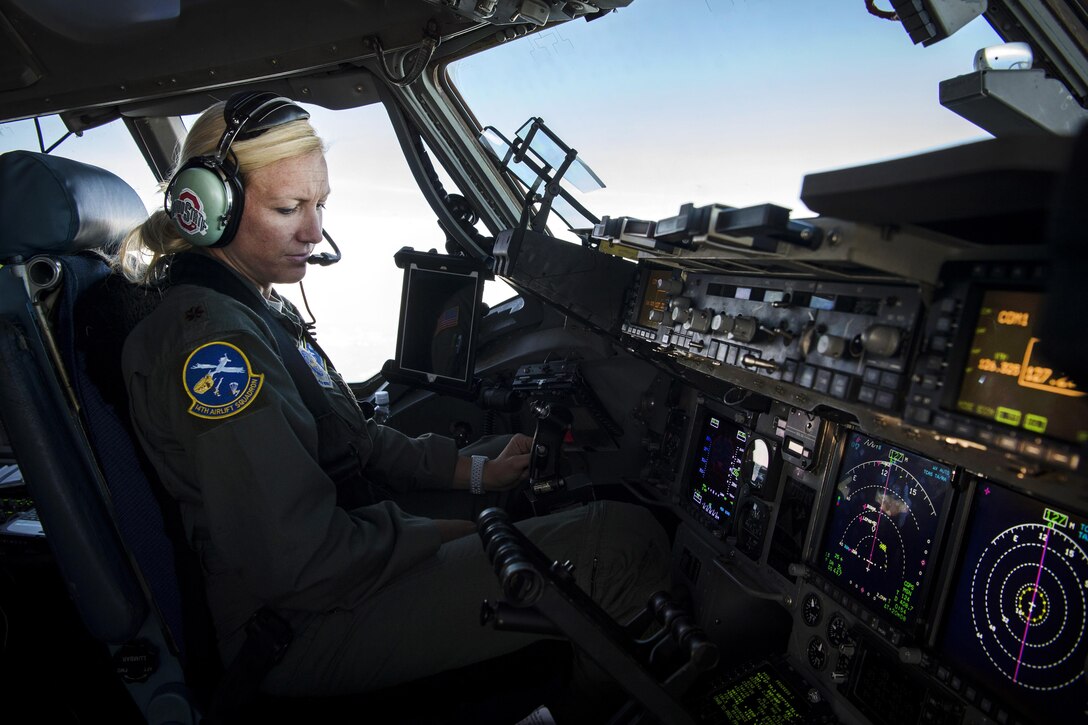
(726, 102)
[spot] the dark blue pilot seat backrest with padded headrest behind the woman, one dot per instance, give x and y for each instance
(65, 316)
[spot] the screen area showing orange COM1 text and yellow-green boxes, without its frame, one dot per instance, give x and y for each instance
(1007, 377)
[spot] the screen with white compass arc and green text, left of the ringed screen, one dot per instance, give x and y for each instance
(885, 526)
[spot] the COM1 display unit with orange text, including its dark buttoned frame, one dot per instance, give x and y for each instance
(983, 373)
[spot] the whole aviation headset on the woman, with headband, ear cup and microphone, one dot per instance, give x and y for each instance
(205, 200)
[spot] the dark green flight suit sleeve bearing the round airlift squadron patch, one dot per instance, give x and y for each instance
(253, 470)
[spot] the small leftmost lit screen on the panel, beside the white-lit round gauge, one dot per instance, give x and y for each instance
(718, 469)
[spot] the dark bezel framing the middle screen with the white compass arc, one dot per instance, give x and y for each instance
(929, 593)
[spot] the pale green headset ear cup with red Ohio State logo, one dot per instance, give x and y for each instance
(205, 203)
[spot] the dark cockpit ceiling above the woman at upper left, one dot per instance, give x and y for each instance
(60, 56)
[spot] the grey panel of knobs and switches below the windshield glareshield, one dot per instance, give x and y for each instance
(851, 342)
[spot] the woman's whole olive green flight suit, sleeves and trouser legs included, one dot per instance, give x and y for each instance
(374, 596)
